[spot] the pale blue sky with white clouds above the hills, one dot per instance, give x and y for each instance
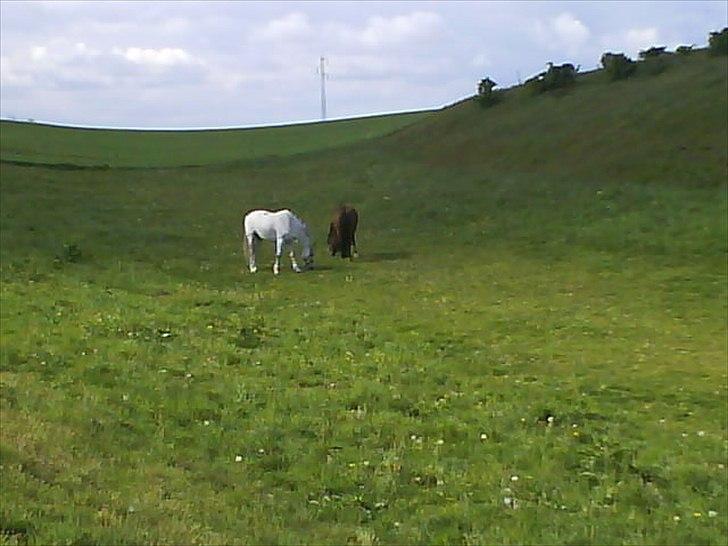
(193, 64)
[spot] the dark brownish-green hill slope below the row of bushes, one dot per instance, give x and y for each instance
(669, 126)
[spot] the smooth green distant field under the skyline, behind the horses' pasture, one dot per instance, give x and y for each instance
(36, 143)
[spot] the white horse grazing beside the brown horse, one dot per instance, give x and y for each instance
(284, 228)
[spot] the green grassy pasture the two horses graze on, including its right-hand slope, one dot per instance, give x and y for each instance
(531, 348)
